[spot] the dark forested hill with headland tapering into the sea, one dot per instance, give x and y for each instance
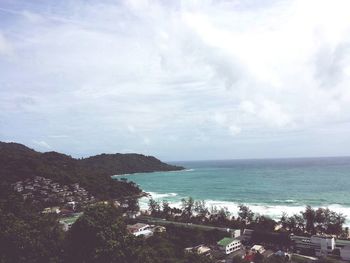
(18, 162)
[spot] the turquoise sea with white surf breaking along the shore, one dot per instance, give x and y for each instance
(268, 186)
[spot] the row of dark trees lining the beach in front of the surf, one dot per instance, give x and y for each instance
(308, 222)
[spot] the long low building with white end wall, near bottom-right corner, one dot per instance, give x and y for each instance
(319, 245)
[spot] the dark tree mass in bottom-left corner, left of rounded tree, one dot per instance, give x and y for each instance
(25, 234)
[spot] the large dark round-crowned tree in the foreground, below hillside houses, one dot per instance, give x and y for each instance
(99, 236)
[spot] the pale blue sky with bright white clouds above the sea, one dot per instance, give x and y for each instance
(180, 80)
